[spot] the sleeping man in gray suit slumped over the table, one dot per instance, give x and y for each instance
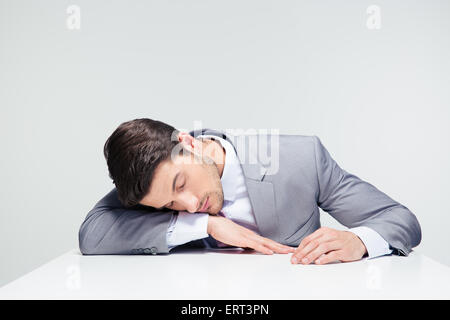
(212, 189)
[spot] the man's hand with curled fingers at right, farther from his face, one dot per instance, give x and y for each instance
(326, 245)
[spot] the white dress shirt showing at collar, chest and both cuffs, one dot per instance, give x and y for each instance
(186, 227)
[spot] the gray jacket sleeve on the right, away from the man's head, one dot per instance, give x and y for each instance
(354, 202)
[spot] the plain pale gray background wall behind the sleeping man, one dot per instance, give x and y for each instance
(378, 99)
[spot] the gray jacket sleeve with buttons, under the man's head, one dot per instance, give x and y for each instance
(110, 228)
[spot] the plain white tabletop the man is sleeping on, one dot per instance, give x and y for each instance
(230, 274)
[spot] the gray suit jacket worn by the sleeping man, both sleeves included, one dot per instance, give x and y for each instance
(286, 204)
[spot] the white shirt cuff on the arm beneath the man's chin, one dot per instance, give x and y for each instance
(186, 227)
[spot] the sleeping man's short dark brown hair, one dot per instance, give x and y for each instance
(133, 152)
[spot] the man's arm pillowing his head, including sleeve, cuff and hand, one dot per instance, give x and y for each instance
(110, 228)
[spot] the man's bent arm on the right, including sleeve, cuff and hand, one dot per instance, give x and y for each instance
(356, 204)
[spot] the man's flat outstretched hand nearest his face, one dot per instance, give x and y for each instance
(228, 232)
